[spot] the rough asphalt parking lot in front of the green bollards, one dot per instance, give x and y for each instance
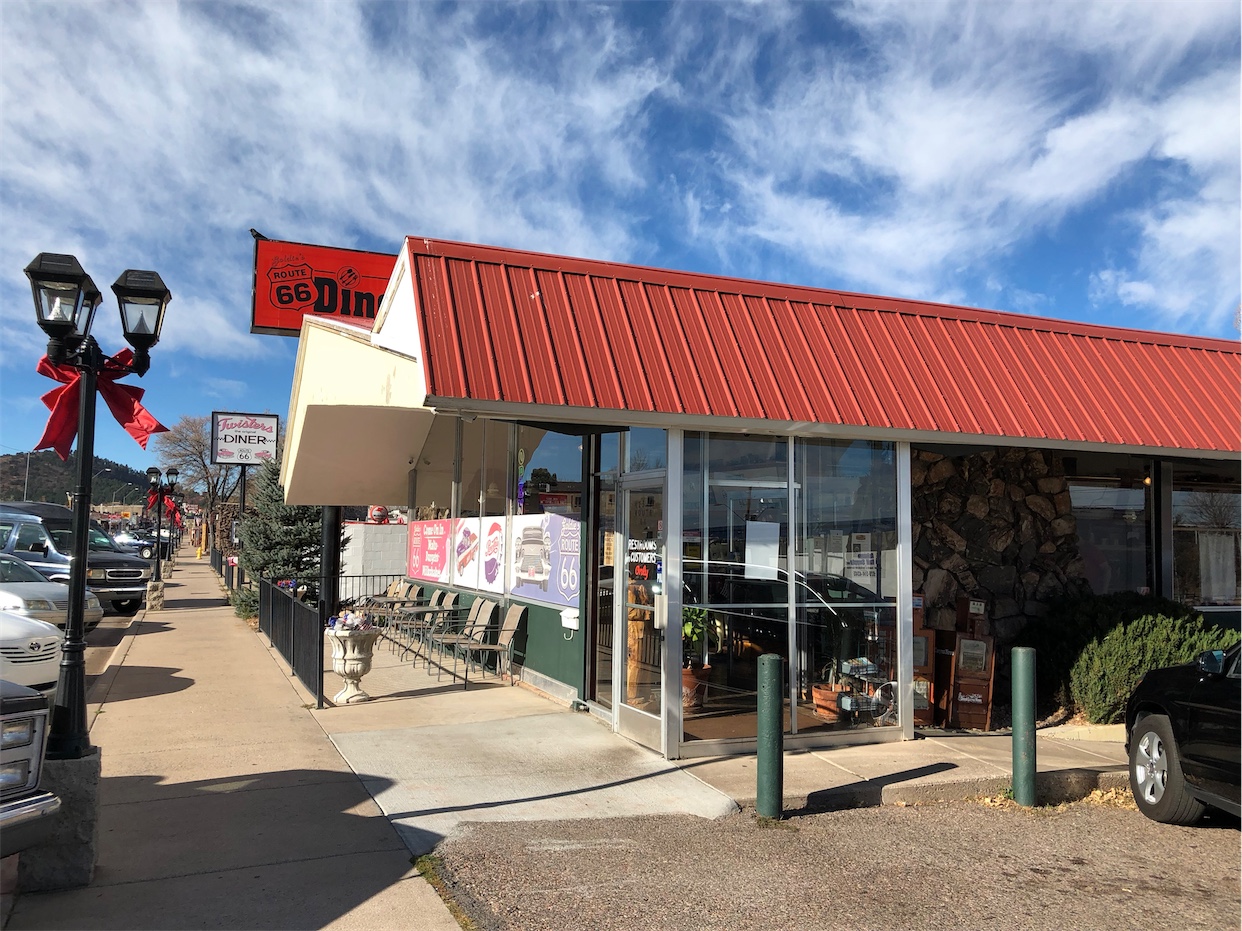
(945, 866)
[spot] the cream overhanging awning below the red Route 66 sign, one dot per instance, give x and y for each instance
(357, 420)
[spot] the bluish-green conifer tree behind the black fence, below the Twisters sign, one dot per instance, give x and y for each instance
(280, 542)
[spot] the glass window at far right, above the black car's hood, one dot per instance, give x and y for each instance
(1207, 502)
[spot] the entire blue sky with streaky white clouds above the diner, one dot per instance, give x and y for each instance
(1077, 161)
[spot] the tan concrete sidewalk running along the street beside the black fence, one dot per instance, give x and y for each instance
(223, 804)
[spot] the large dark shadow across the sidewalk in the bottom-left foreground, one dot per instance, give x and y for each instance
(285, 850)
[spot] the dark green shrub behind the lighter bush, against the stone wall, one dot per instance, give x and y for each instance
(1071, 625)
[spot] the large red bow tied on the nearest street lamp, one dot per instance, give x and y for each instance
(125, 402)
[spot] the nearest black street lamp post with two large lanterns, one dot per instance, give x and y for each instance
(65, 305)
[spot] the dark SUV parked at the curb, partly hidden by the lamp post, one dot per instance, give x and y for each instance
(43, 536)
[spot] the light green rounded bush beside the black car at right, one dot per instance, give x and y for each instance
(1108, 668)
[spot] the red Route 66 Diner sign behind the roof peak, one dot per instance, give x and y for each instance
(294, 280)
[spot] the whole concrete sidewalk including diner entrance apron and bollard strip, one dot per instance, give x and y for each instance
(228, 801)
